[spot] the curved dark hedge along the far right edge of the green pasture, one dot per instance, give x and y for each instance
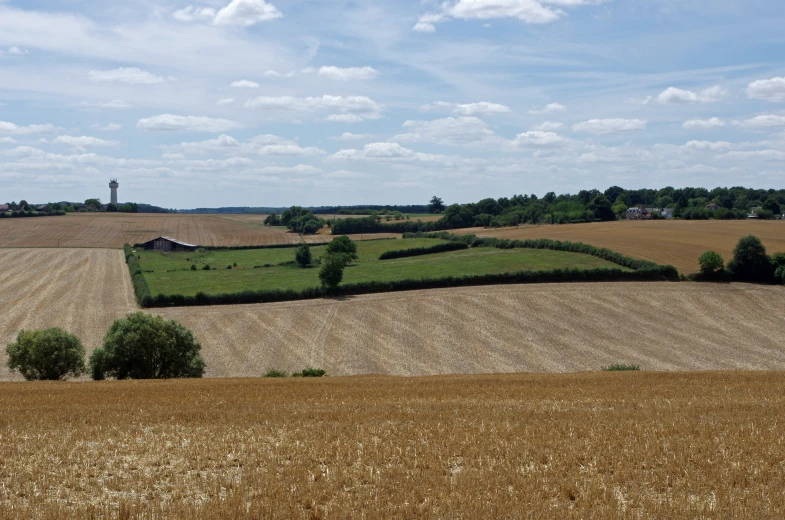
(670, 272)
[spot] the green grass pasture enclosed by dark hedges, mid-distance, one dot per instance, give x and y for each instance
(169, 273)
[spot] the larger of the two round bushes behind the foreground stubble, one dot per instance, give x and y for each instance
(143, 346)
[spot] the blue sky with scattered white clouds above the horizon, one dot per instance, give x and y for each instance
(281, 102)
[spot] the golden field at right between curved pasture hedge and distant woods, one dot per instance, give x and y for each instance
(675, 242)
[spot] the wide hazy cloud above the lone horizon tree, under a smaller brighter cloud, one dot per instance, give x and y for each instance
(452, 131)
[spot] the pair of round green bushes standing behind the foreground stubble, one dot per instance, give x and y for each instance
(139, 346)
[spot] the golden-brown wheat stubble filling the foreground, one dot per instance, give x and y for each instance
(590, 445)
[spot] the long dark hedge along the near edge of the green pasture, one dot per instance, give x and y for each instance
(657, 273)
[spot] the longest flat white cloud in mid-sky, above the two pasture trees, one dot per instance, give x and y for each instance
(351, 108)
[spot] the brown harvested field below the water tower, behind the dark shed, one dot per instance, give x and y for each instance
(112, 230)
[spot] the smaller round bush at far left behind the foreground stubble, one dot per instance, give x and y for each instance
(51, 354)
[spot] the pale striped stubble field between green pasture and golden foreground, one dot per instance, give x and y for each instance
(492, 329)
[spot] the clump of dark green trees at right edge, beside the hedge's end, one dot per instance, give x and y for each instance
(750, 263)
